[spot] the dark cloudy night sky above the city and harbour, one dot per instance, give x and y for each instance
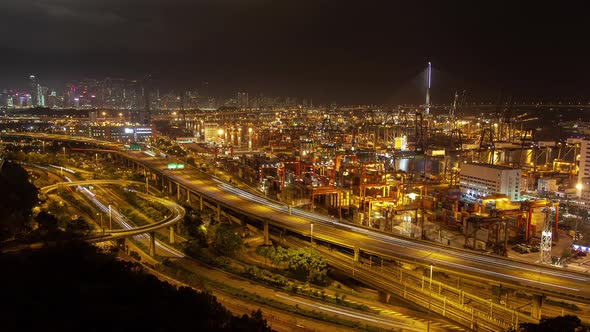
(344, 51)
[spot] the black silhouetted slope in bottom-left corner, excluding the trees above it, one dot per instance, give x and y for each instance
(75, 286)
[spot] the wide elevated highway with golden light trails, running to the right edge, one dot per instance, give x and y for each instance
(199, 188)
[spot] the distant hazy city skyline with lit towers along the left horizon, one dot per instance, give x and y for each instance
(133, 94)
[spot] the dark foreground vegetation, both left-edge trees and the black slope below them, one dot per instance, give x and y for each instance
(73, 286)
